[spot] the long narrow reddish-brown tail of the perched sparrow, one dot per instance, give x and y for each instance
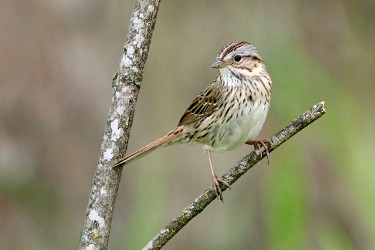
(167, 139)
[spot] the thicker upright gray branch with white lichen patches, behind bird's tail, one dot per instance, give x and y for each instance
(125, 84)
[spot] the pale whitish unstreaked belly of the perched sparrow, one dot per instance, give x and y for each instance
(238, 130)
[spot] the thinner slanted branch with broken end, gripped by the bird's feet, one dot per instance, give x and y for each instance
(233, 175)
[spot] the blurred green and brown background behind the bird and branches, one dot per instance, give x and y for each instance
(56, 67)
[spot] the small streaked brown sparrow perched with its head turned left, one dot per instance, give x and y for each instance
(228, 113)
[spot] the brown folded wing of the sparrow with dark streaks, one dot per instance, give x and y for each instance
(202, 106)
